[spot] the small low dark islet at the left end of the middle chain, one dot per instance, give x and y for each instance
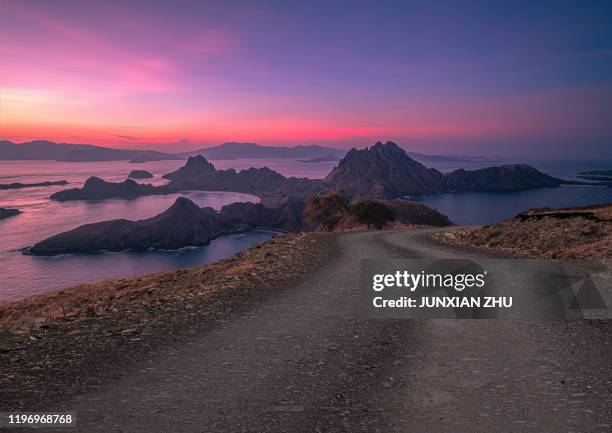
(98, 189)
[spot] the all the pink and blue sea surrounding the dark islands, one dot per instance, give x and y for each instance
(22, 276)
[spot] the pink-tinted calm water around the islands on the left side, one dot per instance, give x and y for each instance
(23, 276)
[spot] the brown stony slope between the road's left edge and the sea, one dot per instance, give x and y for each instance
(57, 343)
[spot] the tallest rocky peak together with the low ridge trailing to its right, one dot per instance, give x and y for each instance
(385, 171)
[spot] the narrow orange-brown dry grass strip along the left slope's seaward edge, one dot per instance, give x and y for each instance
(107, 297)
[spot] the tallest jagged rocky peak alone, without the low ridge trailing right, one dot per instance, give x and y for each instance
(384, 171)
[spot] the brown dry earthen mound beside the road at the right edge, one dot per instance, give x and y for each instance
(576, 233)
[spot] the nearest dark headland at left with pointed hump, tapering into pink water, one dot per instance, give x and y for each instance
(183, 224)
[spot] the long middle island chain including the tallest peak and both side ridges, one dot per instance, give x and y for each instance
(383, 171)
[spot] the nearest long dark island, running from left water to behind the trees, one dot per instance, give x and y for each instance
(184, 224)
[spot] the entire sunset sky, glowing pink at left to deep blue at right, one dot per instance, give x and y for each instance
(494, 78)
